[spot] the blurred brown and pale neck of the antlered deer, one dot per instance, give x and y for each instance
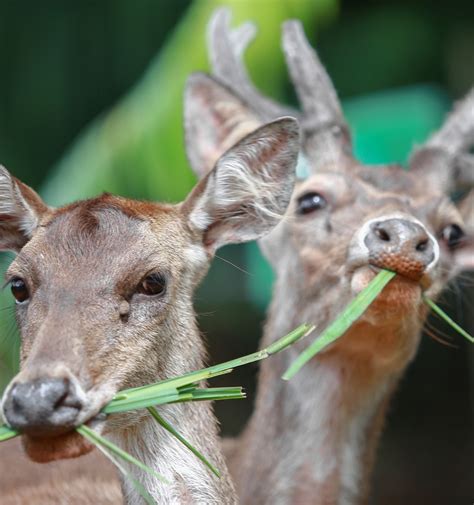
(312, 439)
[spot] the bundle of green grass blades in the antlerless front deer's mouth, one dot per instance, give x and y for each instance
(184, 388)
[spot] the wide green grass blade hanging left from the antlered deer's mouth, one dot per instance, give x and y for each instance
(343, 322)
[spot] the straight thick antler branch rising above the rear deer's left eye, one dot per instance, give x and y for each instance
(322, 113)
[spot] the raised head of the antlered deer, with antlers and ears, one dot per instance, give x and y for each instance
(346, 220)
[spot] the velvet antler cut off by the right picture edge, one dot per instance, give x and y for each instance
(446, 153)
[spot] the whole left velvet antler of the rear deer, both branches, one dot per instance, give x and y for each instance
(326, 134)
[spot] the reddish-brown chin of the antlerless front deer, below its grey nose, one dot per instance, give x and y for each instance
(66, 446)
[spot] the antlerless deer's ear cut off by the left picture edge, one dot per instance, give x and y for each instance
(20, 211)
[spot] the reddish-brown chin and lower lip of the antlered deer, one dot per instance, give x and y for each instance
(401, 293)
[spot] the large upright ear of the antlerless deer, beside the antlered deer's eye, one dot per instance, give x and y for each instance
(248, 191)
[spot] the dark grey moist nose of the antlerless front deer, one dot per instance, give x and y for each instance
(42, 407)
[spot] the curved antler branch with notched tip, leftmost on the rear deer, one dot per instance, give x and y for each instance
(226, 47)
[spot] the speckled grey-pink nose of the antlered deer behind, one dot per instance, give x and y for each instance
(400, 245)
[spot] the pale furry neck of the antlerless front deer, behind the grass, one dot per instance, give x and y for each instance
(189, 481)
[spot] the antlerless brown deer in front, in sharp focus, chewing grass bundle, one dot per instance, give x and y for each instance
(103, 291)
